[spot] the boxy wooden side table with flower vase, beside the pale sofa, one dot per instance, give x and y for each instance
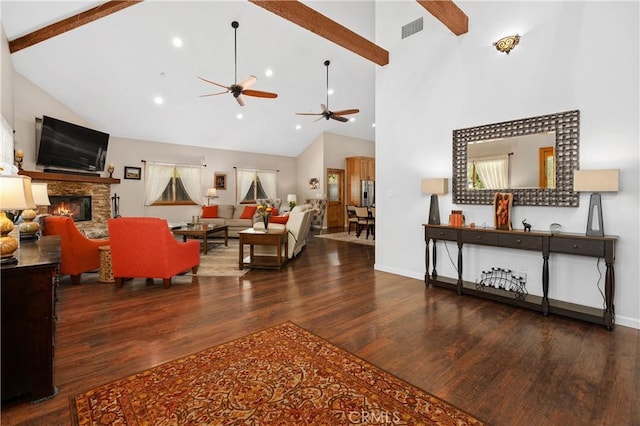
(252, 237)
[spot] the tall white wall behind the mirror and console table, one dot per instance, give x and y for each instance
(572, 55)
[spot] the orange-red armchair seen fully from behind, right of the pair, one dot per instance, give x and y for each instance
(145, 247)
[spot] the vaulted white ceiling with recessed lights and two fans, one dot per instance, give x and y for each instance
(110, 70)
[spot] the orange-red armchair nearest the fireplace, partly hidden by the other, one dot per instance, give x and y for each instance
(78, 253)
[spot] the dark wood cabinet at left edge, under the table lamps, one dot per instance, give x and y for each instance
(28, 320)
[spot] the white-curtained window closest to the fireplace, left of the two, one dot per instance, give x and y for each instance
(169, 184)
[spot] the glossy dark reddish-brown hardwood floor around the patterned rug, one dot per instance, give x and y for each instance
(505, 365)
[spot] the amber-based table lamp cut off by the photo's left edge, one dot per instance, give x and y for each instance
(15, 194)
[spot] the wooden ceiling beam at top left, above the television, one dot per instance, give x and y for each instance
(69, 24)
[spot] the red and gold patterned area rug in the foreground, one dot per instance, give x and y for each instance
(283, 375)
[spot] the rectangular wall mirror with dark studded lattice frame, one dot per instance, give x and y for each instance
(549, 143)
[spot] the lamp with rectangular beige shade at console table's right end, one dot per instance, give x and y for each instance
(595, 181)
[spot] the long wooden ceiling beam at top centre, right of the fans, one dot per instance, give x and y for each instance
(302, 15)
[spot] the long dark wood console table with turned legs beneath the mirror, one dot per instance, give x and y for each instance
(542, 242)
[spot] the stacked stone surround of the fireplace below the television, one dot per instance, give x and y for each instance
(100, 200)
